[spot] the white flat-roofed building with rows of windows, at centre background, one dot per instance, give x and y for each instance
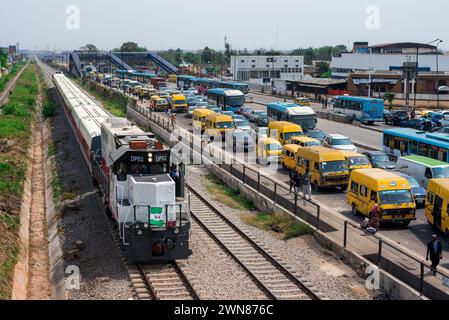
(267, 68)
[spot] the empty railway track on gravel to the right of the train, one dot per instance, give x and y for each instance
(273, 278)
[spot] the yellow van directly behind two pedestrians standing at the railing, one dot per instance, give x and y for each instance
(327, 167)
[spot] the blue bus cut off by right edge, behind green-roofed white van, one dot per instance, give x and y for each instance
(405, 141)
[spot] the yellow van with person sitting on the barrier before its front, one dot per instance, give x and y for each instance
(391, 191)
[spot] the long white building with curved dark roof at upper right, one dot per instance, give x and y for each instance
(389, 57)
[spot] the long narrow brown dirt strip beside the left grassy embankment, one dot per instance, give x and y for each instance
(39, 283)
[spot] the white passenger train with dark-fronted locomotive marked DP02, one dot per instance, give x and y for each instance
(141, 182)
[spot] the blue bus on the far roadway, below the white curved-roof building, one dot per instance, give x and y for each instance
(365, 110)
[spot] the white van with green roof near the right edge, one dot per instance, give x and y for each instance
(422, 168)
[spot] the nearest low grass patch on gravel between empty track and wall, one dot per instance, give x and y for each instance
(279, 223)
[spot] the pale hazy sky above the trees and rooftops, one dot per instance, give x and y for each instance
(163, 24)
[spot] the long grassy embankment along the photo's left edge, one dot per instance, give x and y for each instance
(15, 133)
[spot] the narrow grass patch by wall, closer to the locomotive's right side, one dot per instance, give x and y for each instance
(228, 196)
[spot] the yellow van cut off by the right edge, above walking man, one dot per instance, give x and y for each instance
(437, 204)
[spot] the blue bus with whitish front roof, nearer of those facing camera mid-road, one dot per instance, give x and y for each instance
(301, 115)
